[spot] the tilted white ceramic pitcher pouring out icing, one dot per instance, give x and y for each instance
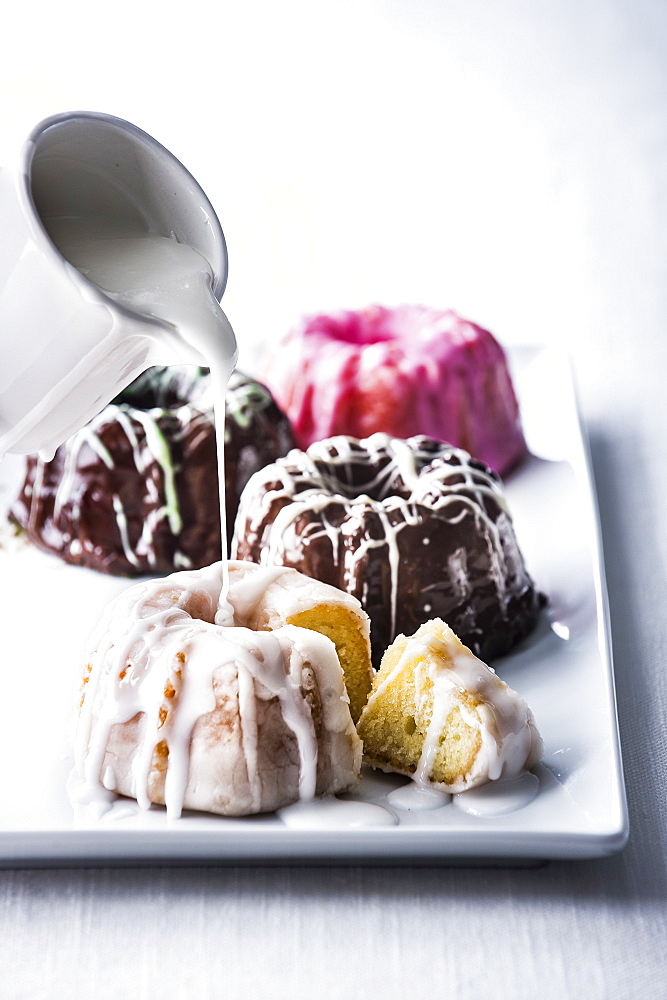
(62, 337)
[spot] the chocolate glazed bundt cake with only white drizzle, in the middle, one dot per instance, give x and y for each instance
(414, 529)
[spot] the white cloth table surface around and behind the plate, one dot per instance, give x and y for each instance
(505, 158)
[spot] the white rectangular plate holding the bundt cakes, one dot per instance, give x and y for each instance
(564, 671)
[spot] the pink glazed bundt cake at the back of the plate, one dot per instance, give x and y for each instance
(403, 372)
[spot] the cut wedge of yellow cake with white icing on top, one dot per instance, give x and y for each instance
(441, 716)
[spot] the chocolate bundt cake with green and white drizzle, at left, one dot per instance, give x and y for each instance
(135, 491)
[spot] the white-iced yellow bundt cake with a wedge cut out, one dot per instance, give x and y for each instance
(234, 720)
